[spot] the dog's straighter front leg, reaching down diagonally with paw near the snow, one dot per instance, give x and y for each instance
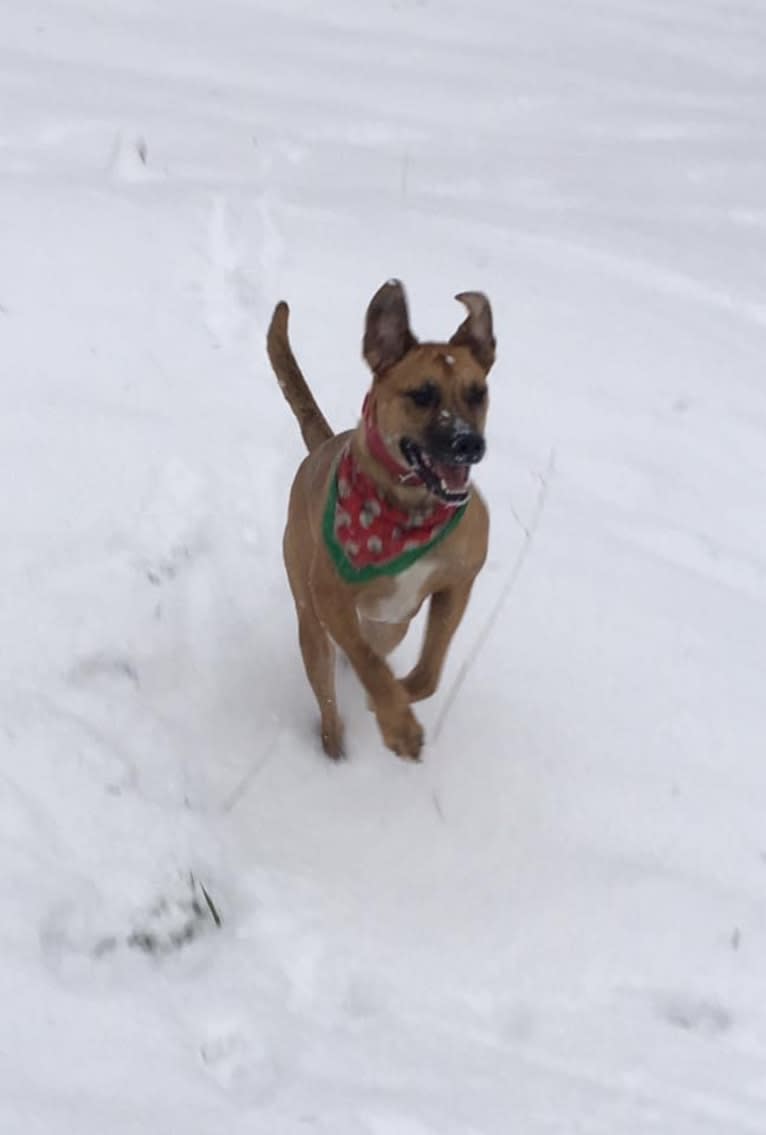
(401, 729)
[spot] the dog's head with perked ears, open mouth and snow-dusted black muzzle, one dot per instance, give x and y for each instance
(431, 399)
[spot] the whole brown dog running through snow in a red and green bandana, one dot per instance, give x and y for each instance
(383, 518)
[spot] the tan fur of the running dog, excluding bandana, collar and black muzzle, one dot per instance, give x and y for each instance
(333, 612)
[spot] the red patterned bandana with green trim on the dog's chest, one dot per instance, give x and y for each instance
(367, 536)
